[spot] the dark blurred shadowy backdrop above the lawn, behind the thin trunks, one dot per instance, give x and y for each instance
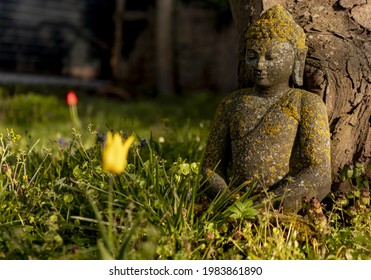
(74, 38)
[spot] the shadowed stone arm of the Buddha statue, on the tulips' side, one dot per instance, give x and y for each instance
(217, 154)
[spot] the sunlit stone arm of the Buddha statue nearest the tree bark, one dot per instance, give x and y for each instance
(314, 179)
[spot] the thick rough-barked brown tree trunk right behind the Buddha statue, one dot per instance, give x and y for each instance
(337, 67)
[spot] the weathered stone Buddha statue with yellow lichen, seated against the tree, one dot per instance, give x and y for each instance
(272, 133)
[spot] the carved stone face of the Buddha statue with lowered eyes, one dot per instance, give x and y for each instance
(270, 63)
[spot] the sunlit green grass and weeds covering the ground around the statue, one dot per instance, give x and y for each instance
(56, 202)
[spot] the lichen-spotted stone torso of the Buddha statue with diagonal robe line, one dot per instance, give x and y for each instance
(263, 134)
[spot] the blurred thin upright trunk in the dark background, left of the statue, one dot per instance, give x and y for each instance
(164, 46)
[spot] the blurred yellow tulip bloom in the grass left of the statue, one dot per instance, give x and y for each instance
(115, 153)
